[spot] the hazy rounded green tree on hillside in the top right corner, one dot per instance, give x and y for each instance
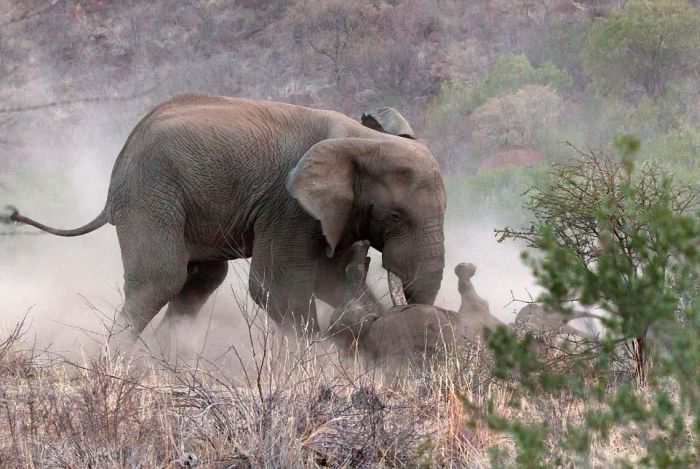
(646, 46)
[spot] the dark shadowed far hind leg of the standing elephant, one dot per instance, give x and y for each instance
(202, 279)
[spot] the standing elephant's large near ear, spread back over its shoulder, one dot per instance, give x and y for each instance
(322, 182)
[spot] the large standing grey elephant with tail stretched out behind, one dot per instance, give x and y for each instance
(205, 179)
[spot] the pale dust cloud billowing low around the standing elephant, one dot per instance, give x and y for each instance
(69, 286)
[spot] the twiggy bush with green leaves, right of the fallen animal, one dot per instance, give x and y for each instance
(602, 224)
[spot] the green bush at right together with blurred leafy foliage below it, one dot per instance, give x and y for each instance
(624, 242)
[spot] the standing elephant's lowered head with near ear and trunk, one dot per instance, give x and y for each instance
(388, 191)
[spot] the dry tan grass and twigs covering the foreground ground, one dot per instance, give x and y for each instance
(295, 404)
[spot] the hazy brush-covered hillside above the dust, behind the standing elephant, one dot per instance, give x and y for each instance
(489, 84)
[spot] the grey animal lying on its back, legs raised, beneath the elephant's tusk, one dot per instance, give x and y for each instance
(409, 332)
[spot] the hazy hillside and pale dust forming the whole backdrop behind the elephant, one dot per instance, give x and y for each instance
(493, 86)
